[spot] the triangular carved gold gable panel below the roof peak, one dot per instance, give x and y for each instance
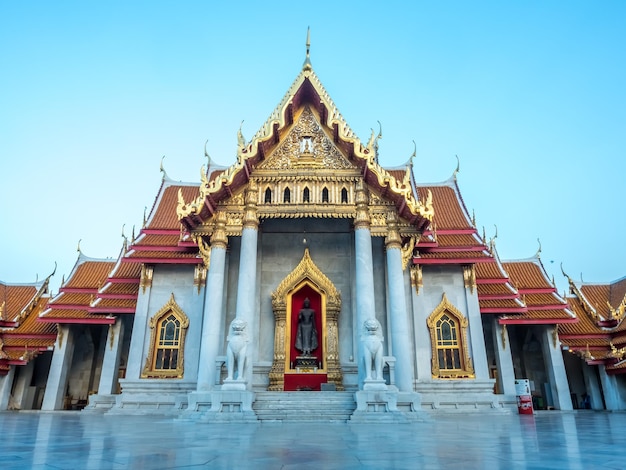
(306, 146)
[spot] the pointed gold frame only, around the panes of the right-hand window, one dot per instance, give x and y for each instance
(467, 369)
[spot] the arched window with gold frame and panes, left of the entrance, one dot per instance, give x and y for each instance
(167, 342)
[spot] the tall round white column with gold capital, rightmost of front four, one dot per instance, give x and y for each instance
(399, 318)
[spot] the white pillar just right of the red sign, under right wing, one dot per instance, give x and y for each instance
(555, 368)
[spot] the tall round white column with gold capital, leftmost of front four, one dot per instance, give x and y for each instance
(213, 302)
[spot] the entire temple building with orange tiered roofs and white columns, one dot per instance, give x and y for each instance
(306, 276)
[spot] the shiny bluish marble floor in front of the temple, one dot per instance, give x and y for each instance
(547, 440)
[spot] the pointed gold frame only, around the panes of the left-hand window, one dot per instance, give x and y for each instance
(149, 371)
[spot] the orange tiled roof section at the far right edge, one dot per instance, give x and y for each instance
(600, 335)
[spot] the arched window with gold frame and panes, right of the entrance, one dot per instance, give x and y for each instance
(448, 335)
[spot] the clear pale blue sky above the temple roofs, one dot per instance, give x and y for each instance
(530, 95)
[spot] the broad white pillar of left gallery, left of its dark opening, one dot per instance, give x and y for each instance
(59, 369)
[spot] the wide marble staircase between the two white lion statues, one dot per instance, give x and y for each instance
(304, 406)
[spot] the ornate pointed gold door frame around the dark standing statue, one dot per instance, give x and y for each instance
(306, 273)
